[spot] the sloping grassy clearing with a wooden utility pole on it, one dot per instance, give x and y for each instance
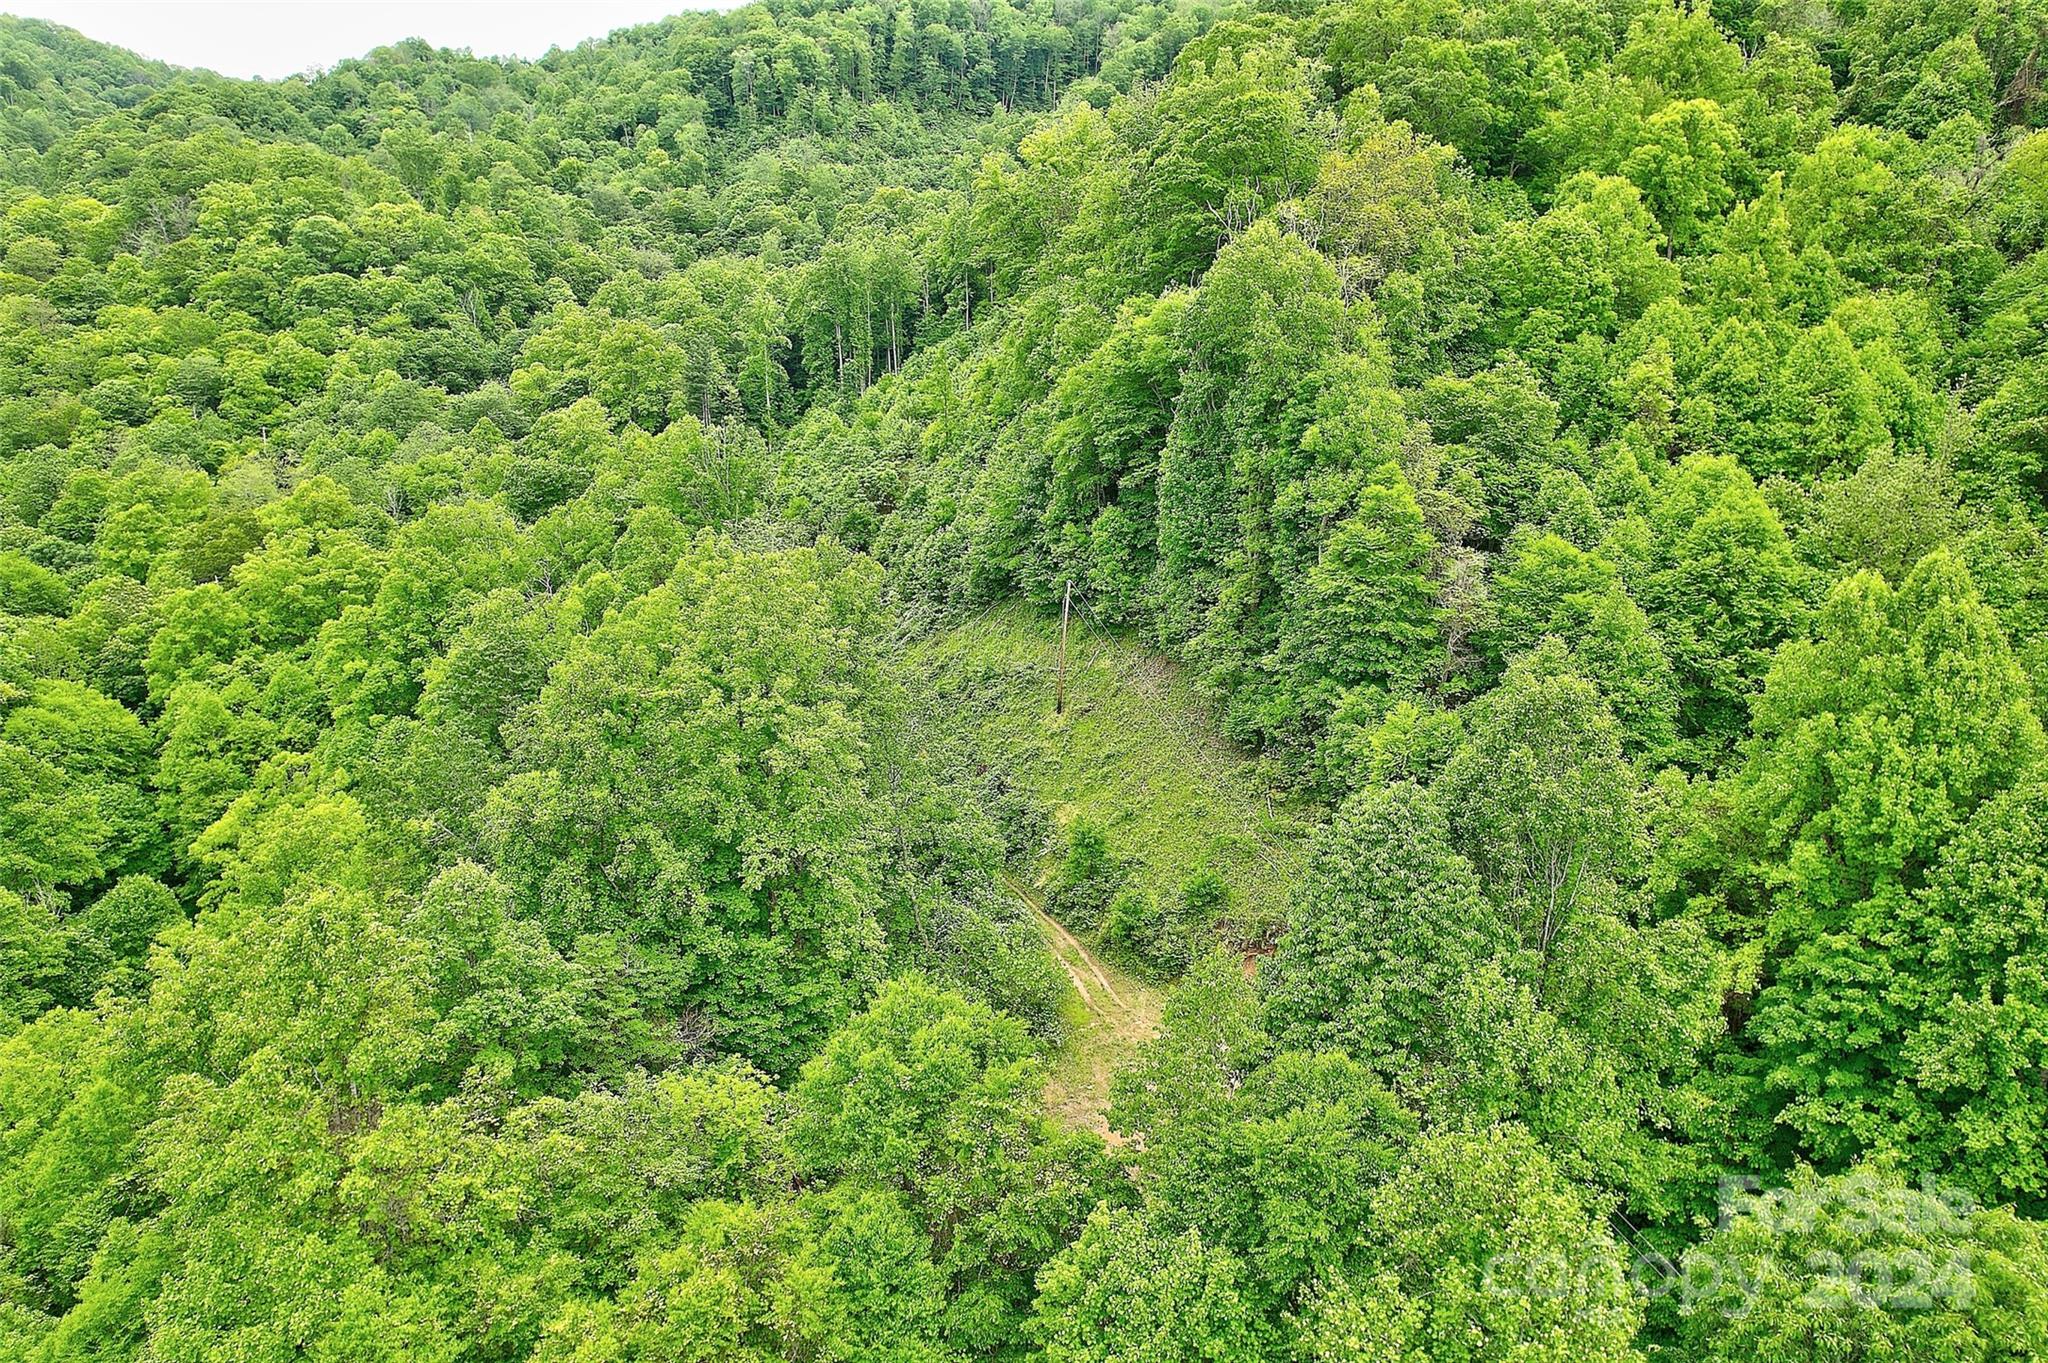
(1136, 752)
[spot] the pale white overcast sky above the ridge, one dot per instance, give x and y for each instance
(280, 38)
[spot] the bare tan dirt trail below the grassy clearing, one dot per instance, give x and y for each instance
(1115, 1014)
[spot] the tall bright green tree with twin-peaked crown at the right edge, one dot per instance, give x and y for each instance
(1875, 746)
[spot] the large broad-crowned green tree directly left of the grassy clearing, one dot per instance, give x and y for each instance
(693, 781)
